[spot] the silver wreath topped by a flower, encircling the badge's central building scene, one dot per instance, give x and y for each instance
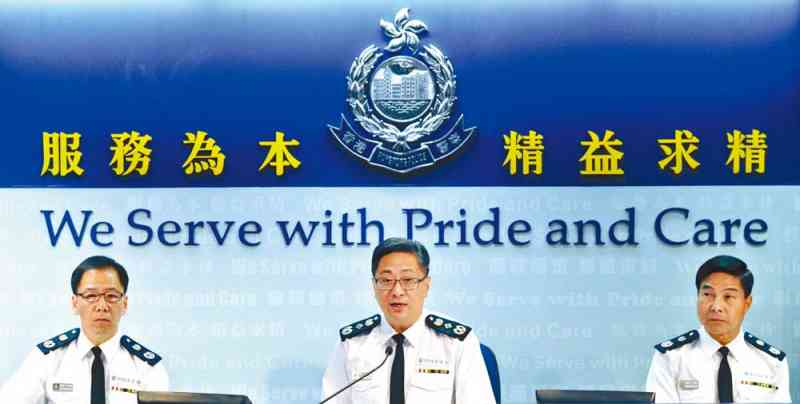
(404, 33)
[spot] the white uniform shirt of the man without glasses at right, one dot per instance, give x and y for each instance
(689, 373)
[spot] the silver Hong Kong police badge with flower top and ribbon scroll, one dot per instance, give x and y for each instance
(402, 97)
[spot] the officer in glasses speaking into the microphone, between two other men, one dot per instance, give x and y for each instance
(431, 358)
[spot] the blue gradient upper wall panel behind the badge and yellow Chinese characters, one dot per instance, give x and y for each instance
(242, 70)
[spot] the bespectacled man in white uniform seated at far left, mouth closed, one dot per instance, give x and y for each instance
(92, 364)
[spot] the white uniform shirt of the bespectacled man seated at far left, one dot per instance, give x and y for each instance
(64, 375)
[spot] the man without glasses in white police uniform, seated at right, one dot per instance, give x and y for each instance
(720, 362)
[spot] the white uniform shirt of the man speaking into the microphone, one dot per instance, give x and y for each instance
(439, 369)
